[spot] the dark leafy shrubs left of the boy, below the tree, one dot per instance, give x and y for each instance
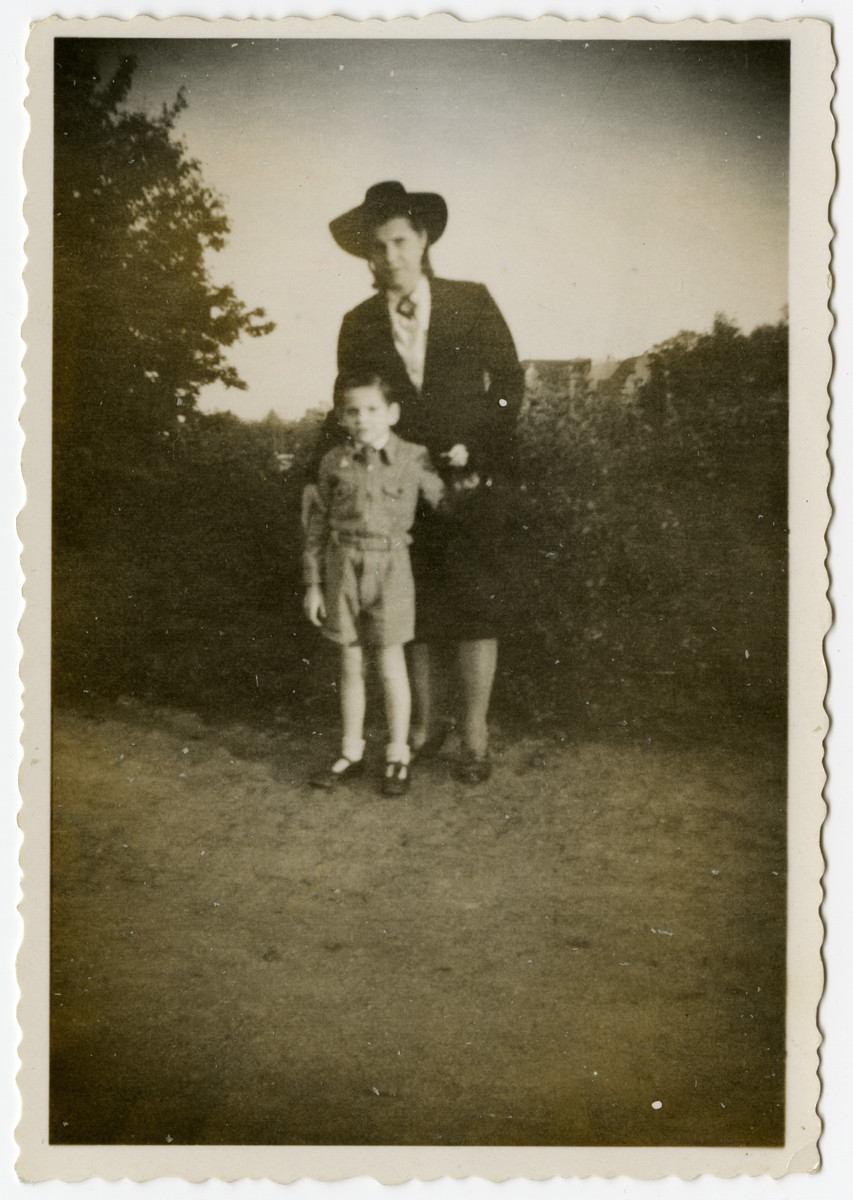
(185, 583)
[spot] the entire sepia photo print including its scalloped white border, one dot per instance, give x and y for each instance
(422, 412)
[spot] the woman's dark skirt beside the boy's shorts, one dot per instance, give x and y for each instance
(459, 560)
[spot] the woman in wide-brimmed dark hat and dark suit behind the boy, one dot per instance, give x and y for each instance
(449, 357)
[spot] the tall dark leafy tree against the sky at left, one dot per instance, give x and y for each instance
(140, 327)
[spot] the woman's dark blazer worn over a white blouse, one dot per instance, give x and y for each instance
(471, 368)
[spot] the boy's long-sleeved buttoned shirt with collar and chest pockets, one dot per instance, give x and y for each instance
(368, 494)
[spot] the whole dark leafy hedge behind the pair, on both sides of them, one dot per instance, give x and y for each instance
(647, 553)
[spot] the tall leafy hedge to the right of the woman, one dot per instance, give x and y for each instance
(656, 533)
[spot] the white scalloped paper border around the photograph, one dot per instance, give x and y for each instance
(812, 326)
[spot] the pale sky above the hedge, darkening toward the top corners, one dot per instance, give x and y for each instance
(609, 194)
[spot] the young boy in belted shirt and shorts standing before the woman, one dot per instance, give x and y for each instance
(358, 575)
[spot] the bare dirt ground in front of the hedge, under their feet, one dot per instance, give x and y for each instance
(587, 950)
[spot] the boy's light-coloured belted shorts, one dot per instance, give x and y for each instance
(370, 597)
